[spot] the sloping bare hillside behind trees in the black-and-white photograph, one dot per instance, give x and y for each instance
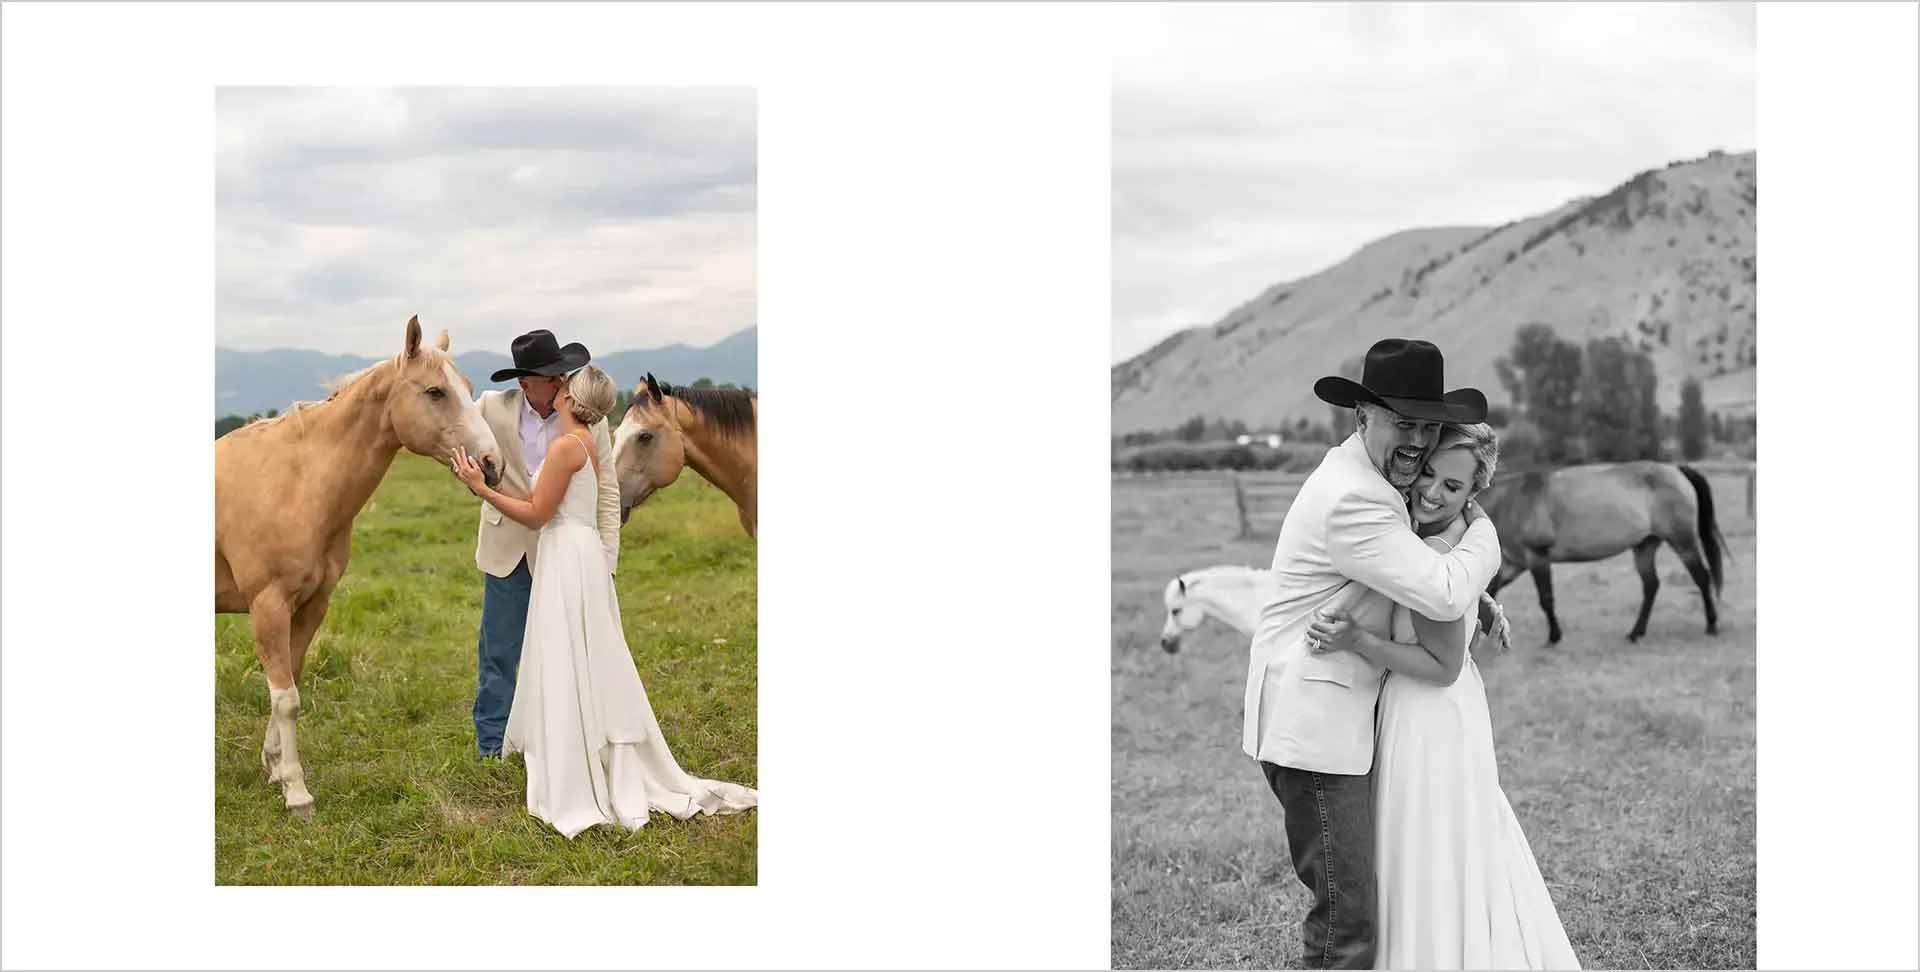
(1664, 260)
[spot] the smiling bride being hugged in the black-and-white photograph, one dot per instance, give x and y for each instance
(1456, 881)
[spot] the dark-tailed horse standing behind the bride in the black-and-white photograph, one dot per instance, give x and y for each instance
(1593, 512)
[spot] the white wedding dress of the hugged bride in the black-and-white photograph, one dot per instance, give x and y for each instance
(1458, 885)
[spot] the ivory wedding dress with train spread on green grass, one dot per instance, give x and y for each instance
(581, 716)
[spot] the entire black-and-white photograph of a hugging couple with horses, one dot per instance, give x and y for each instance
(1433, 472)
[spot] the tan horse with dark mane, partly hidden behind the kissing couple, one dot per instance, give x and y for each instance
(711, 429)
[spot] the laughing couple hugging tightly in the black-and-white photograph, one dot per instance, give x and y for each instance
(1364, 702)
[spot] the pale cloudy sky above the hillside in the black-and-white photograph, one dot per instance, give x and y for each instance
(1257, 145)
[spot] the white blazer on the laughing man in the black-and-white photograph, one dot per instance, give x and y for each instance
(1349, 523)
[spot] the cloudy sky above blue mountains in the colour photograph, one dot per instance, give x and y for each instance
(621, 218)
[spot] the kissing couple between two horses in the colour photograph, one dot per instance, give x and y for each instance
(558, 681)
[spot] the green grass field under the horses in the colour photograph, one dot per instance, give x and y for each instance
(387, 731)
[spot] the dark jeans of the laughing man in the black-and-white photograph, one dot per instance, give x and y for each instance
(1330, 831)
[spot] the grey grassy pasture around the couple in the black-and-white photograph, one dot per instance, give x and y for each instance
(1629, 765)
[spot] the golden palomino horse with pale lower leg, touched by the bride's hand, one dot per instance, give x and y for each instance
(285, 497)
